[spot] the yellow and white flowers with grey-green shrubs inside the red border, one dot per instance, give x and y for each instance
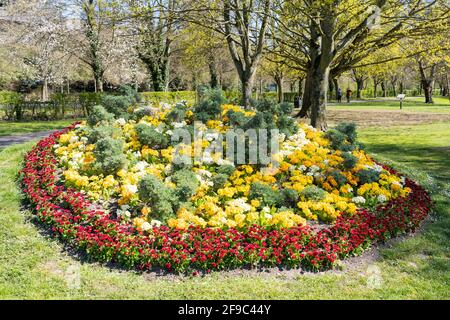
(128, 166)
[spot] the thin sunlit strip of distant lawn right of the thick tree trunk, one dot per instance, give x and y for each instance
(411, 104)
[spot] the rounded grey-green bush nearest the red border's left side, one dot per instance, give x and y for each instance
(109, 156)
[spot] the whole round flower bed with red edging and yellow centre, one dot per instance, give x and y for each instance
(112, 188)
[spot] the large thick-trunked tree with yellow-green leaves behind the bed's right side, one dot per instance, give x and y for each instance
(337, 34)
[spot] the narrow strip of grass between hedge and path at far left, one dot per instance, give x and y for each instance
(13, 128)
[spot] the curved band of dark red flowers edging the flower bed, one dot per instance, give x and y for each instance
(70, 215)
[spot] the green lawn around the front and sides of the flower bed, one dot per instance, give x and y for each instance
(33, 266)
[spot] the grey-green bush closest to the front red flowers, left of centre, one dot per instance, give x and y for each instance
(155, 193)
